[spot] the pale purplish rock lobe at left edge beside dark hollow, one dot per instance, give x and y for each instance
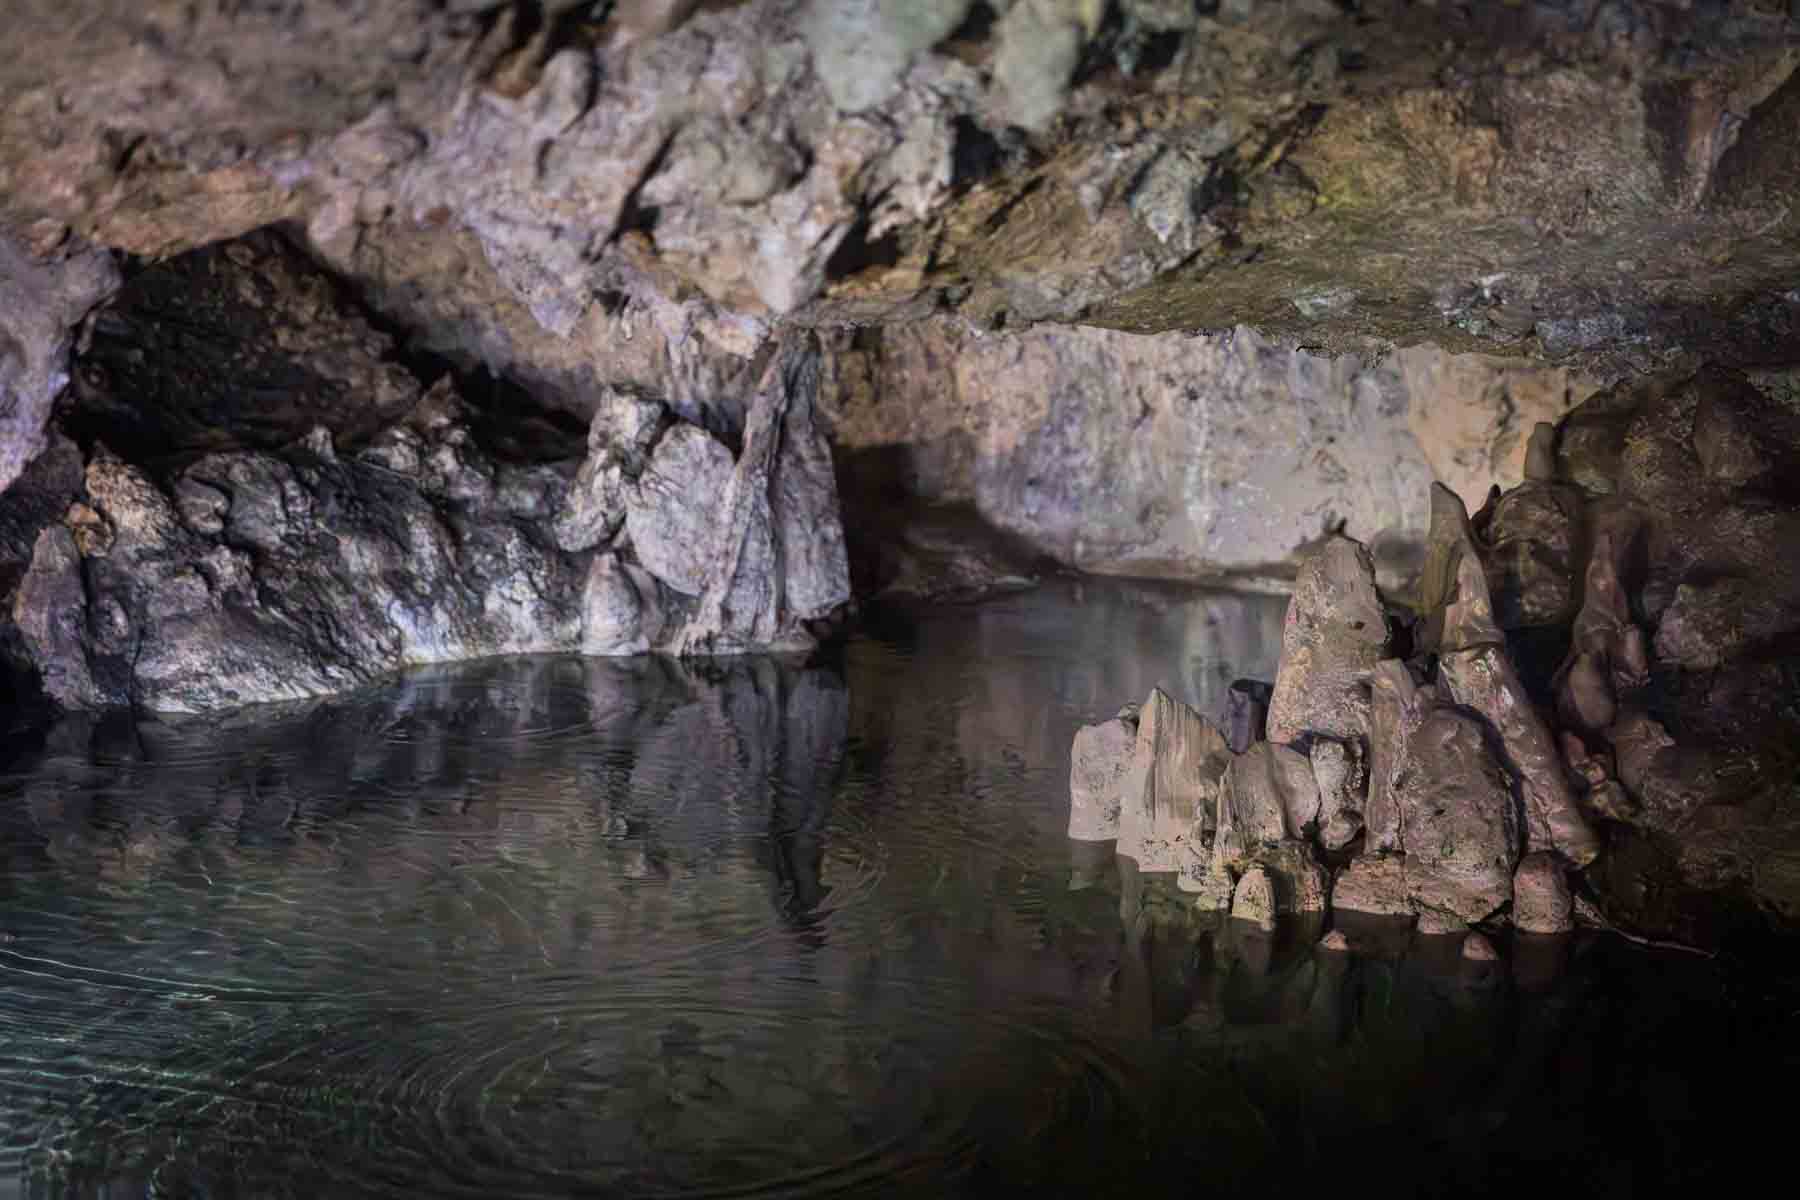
(42, 298)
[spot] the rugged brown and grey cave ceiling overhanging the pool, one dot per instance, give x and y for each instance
(1390, 172)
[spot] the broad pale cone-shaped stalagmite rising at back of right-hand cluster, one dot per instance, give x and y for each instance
(1335, 636)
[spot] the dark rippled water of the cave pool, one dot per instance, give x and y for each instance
(553, 927)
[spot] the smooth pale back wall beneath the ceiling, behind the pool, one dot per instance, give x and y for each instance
(1176, 456)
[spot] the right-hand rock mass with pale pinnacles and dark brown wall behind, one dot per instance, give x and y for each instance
(1590, 697)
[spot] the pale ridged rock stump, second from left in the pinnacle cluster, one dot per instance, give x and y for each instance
(1178, 769)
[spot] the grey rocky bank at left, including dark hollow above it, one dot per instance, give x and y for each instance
(323, 519)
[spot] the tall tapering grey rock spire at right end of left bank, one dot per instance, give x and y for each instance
(775, 548)
